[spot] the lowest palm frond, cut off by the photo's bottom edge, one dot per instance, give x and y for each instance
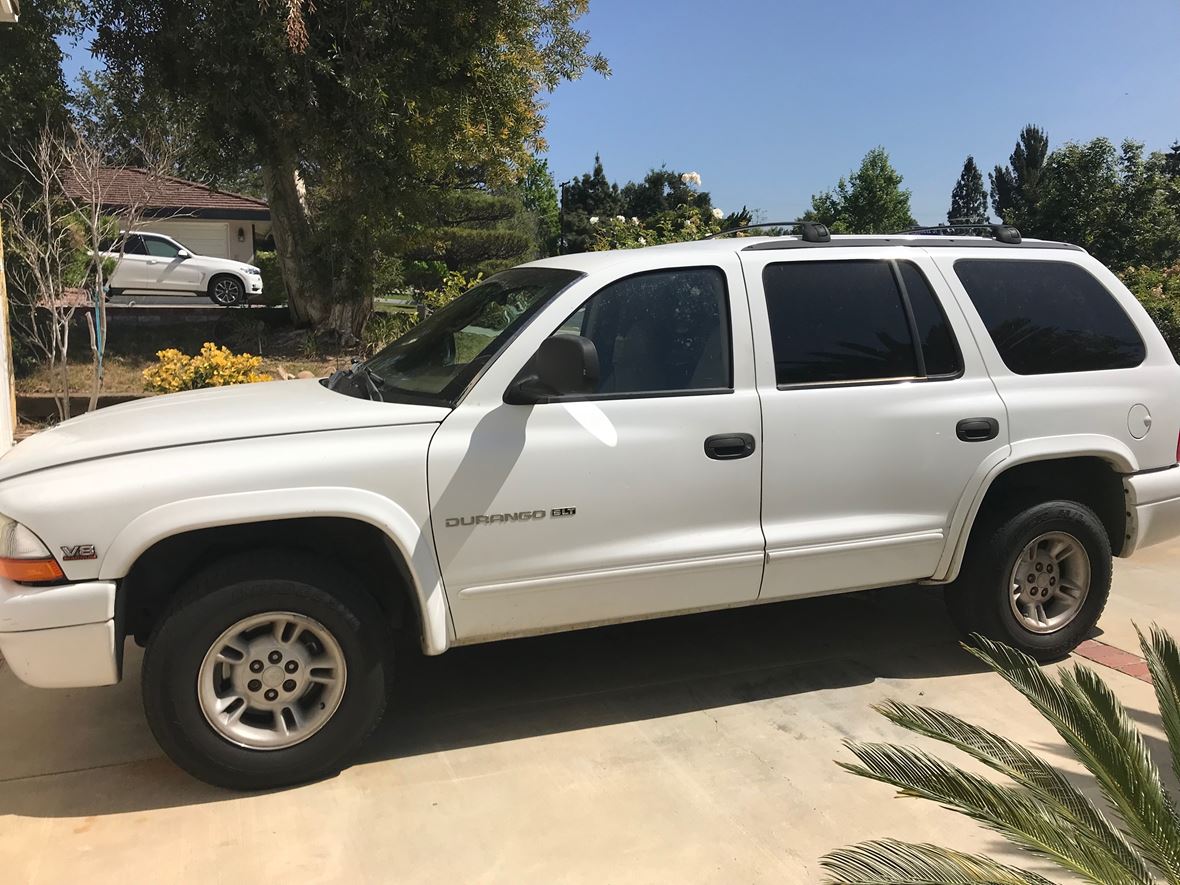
(889, 862)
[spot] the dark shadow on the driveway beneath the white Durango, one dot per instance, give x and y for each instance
(566, 683)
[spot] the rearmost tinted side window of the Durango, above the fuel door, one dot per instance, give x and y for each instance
(1048, 317)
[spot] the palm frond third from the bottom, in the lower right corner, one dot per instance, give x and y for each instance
(1043, 781)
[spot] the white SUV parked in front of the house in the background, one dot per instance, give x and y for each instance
(156, 265)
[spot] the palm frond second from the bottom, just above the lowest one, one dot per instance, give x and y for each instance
(1018, 814)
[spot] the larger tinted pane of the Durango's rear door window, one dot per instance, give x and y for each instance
(837, 322)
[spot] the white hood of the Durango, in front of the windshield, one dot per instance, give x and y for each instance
(226, 414)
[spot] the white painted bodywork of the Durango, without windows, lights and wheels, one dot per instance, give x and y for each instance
(858, 487)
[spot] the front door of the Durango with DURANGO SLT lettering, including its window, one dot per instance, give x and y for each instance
(640, 499)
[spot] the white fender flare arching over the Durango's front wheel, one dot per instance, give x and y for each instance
(415, 542)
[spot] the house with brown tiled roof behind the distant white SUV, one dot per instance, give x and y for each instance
(207, 221)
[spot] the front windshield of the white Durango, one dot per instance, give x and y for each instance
(438, 358)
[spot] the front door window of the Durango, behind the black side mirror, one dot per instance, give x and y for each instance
(666, 331)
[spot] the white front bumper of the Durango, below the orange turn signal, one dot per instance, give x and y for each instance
(61, 637)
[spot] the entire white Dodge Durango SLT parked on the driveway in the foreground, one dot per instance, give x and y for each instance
(591, 440)
